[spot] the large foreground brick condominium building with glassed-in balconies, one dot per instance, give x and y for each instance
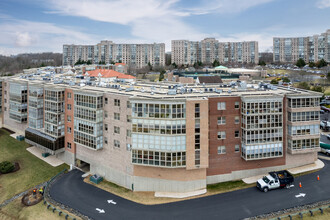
(166, 137)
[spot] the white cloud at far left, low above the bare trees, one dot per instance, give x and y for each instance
(38, 37)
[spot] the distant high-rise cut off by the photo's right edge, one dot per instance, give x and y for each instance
(310, 49)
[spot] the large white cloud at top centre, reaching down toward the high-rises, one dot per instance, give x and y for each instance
(150, 20)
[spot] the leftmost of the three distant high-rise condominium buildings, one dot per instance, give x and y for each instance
(135, 55)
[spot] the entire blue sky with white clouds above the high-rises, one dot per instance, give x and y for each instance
(45, 25)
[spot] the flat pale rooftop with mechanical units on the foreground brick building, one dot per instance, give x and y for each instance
(164, 90)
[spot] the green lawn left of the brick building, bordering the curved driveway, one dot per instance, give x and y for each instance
(33, 170)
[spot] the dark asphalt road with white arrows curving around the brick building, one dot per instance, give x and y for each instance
(72, 191)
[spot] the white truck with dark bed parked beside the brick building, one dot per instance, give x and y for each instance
(275, 180)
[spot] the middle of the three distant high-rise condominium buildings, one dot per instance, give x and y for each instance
(210, 49)
